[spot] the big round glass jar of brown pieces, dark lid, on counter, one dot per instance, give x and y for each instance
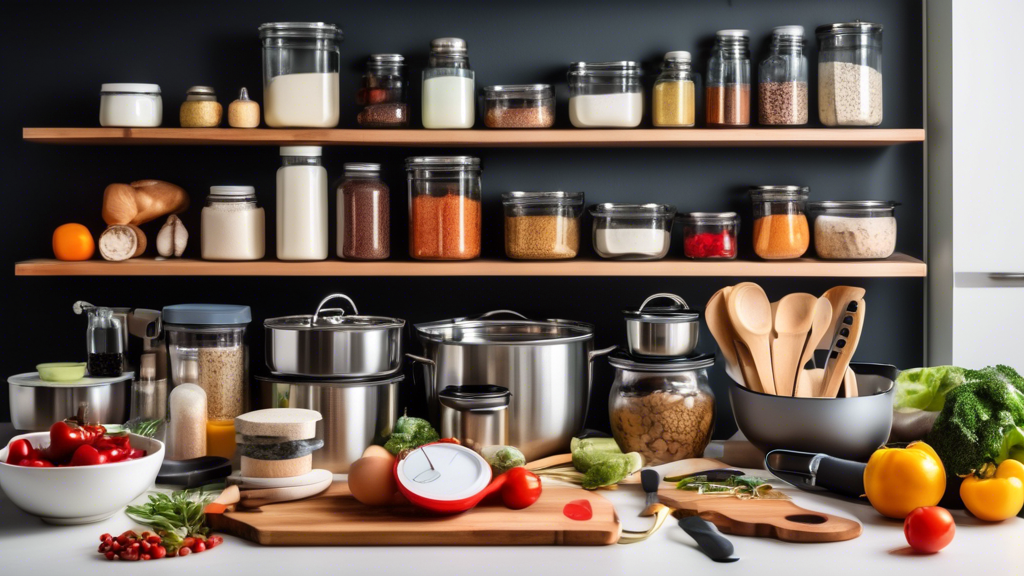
(664, 409)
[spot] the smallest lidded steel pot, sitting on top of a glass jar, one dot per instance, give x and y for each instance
(664, 332)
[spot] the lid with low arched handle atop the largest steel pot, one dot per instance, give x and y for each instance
(484, 330)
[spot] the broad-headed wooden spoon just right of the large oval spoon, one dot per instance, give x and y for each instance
(793, 322)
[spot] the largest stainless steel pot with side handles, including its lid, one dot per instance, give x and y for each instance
(547, 365)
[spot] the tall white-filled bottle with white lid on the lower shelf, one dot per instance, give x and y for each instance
(303, 216)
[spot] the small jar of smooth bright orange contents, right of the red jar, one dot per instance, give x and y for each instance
(781, 230)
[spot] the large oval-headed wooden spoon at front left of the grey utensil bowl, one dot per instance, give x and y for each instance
(750, 313)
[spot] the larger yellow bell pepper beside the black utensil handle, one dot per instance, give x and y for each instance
(899, 480)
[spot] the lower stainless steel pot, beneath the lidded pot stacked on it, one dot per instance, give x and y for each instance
(356, 413)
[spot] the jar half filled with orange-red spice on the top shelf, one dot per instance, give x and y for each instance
(729, 90)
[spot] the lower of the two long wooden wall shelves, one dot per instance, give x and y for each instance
(898, 266)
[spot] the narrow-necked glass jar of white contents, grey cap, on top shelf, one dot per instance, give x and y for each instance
(449, 87)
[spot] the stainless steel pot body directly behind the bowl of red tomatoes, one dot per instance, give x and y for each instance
(35, 405)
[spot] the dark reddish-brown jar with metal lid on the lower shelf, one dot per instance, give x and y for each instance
(364, 214)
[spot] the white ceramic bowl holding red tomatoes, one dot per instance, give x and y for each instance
(80, 495)
